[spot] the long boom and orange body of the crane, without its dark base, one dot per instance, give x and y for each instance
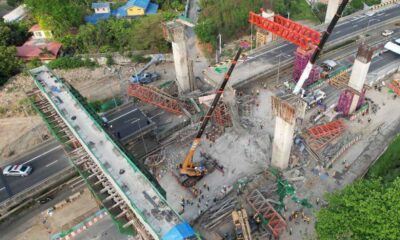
(188, 168)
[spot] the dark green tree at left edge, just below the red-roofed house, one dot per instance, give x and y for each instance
(10, 64)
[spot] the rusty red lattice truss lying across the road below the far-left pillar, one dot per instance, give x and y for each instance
(155, 97)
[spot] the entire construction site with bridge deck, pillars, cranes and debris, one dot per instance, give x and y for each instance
(225, 152)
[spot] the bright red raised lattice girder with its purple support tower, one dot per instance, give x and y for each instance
(306, 38)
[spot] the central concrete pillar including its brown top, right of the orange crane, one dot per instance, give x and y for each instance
(286, 115)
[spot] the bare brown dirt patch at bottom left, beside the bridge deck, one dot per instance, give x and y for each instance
(44, 225)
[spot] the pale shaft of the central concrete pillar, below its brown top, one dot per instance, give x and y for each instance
(283, 140)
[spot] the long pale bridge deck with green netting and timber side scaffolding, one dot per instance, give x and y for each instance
(130, 194)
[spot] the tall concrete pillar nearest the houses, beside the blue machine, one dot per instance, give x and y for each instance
(177, 35)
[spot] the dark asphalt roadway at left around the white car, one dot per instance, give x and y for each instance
(46, 160)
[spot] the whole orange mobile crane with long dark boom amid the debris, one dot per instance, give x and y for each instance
(191, 173)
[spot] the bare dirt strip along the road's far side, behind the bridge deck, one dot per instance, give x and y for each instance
(95, 84)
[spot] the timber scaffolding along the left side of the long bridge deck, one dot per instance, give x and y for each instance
(89, 171)
